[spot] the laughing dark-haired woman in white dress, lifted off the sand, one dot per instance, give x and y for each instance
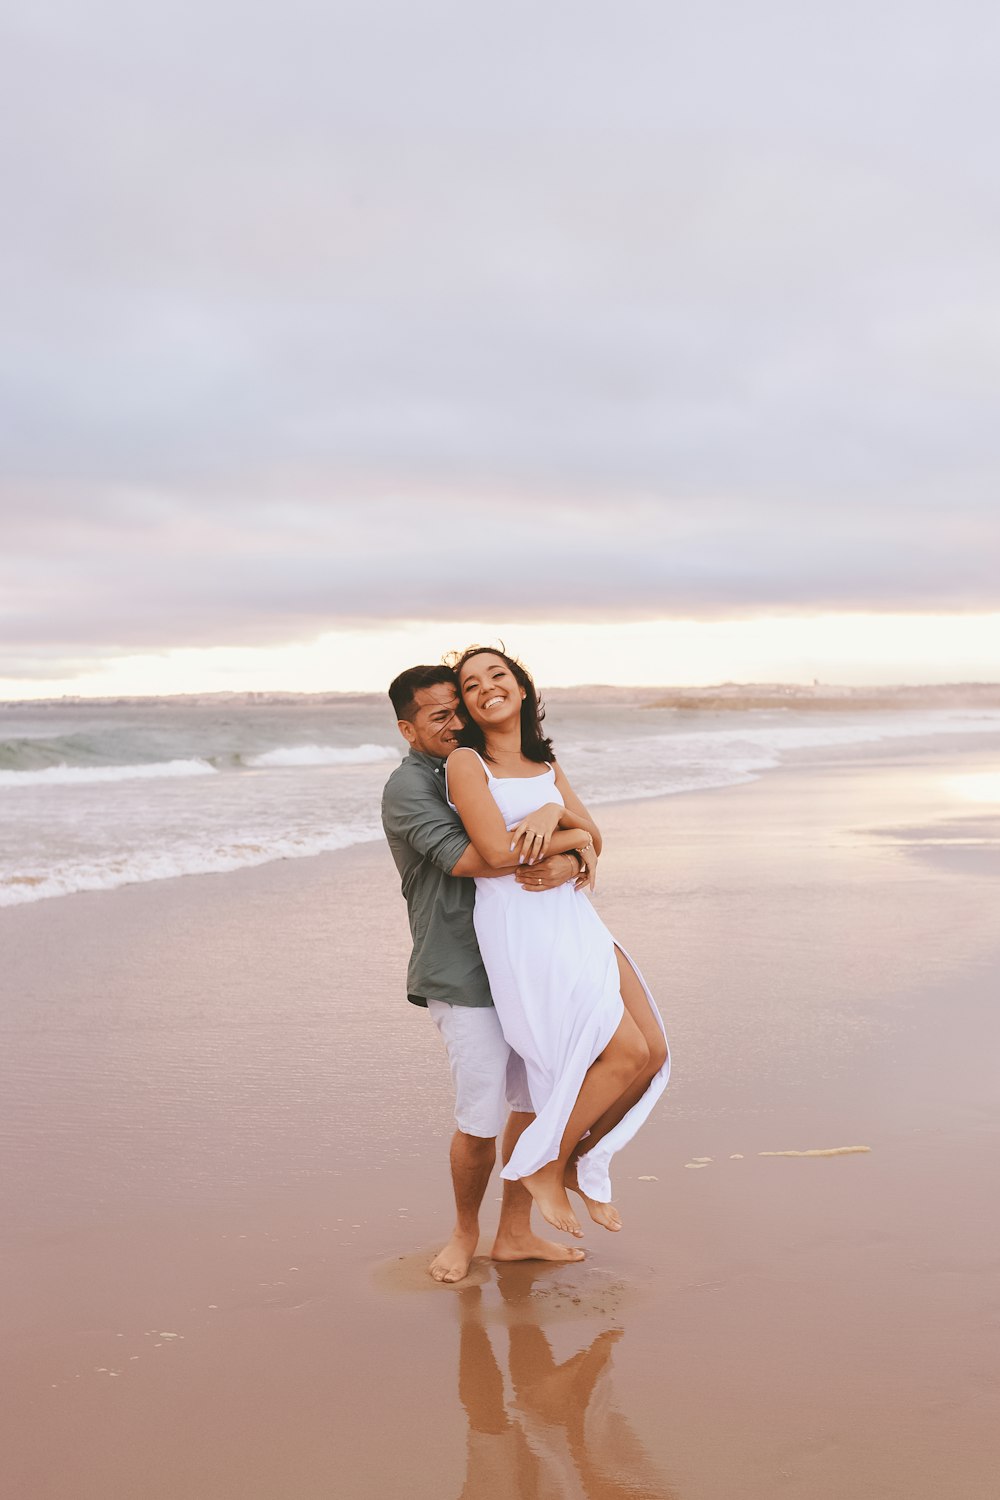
(569, 1000)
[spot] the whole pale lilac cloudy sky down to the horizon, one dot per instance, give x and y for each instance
(340, 331)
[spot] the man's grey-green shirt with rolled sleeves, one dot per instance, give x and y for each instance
(427, 839)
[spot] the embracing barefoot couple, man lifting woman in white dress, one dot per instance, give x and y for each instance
(551, 1031)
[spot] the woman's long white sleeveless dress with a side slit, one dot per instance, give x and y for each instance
(557, 989)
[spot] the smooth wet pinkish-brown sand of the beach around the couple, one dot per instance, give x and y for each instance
(226, 1136)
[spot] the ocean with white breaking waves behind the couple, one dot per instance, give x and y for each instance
(94, 797)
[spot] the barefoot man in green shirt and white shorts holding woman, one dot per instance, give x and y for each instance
(437, 865)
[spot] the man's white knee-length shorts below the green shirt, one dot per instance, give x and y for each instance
(490, 1079)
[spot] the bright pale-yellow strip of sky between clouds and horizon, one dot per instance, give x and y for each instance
(846, 649)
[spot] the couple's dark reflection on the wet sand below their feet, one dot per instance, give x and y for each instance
(551, 1430)
